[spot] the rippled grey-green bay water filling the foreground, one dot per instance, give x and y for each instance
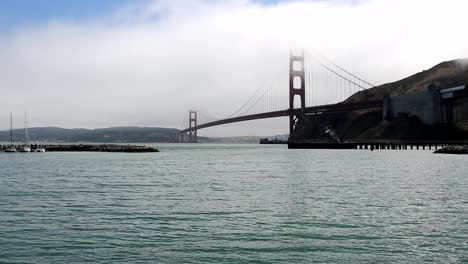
(234, 204)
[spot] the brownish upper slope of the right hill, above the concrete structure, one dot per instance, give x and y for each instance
(444, 75)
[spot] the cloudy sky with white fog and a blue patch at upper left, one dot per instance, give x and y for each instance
(146, 63)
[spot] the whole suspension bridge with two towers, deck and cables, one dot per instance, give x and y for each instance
(315, 84)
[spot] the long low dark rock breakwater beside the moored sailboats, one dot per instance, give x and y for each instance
(99, 148)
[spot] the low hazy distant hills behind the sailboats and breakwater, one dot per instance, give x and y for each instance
(101, 135)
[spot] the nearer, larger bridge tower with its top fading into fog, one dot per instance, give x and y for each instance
(296, 88)
